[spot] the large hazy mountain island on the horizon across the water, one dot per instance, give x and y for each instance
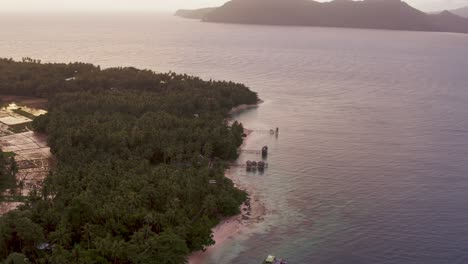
(374, 14)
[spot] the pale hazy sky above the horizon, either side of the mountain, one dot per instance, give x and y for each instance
(164, 5)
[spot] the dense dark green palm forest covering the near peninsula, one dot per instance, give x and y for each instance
(136, 152)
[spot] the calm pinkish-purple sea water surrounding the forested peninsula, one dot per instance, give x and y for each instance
(371, 165)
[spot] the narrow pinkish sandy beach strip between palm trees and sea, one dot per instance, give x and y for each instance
(252, 210)
